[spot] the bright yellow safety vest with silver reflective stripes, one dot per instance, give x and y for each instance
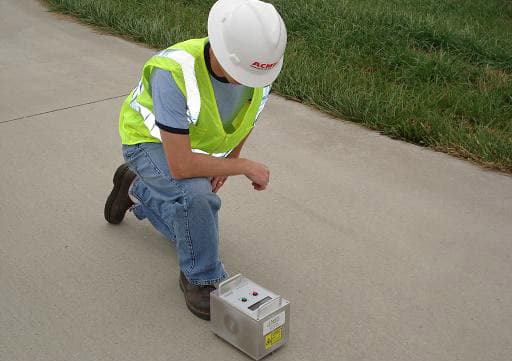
(185, 61)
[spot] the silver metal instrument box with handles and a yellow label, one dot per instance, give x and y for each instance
(250, 317)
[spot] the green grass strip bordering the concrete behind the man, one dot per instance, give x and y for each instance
(433, 72)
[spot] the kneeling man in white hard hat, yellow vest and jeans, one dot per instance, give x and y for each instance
(183, 128)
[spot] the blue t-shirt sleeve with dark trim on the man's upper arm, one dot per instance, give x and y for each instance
(169, 103)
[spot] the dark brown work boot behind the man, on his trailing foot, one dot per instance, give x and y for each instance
(118, 202)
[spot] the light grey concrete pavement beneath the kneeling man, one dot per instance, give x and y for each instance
(386, 250)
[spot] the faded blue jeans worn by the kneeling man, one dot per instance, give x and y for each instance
(183, 210)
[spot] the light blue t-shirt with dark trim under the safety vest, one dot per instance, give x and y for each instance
(170, 105)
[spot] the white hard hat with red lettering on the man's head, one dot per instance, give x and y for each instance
(248, 38)
